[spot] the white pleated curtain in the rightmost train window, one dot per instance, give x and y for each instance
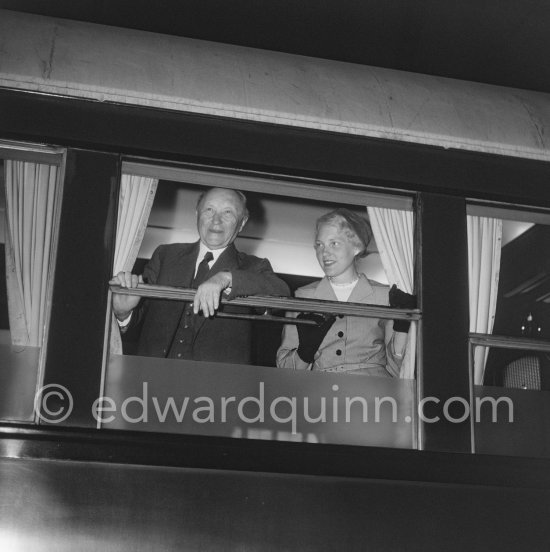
(484, 247)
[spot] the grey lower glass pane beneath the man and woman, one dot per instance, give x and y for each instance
(170, 396)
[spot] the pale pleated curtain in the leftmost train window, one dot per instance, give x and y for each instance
(31, 193)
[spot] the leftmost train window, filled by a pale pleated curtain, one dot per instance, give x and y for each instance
(30, 192)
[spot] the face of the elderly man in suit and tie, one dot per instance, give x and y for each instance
(219, 218)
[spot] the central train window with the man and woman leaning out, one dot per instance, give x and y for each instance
(254, 398)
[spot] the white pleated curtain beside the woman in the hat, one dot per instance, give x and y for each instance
(393, 231)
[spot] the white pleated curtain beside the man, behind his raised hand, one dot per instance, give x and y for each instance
(135, 201)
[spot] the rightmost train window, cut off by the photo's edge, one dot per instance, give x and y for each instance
(509, 279)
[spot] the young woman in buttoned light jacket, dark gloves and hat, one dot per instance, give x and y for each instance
(348, 344)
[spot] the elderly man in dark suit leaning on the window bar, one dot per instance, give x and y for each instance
(214, 267)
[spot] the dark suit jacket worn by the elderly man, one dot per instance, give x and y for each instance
(215, 339)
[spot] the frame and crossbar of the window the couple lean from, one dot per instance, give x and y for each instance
(273, 184)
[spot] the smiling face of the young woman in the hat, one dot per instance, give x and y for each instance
(335, 252)
